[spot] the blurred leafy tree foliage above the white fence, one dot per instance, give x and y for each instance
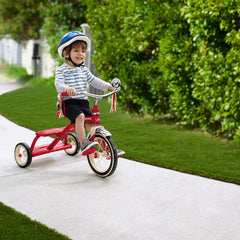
(24, 20)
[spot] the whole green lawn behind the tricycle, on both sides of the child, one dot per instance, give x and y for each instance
(144, 140)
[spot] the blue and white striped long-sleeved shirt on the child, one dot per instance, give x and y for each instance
(78, 78)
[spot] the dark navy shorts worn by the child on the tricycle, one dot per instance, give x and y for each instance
(74, 107)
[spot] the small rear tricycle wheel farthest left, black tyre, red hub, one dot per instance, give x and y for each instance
(23, 155)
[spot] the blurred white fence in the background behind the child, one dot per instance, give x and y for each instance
(34, 55)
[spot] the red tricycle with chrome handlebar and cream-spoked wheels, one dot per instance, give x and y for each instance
(103, 160)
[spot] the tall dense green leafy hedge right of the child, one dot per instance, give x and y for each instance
(174, 57)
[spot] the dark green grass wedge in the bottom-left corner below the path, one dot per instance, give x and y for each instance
(14, 225)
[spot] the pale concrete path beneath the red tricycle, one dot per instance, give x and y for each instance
(138, 202)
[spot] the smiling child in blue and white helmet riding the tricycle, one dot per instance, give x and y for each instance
(73, 77)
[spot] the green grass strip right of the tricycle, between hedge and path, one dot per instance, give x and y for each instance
(167, 146)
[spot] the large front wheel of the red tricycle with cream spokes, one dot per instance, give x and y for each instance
(104, 160)
